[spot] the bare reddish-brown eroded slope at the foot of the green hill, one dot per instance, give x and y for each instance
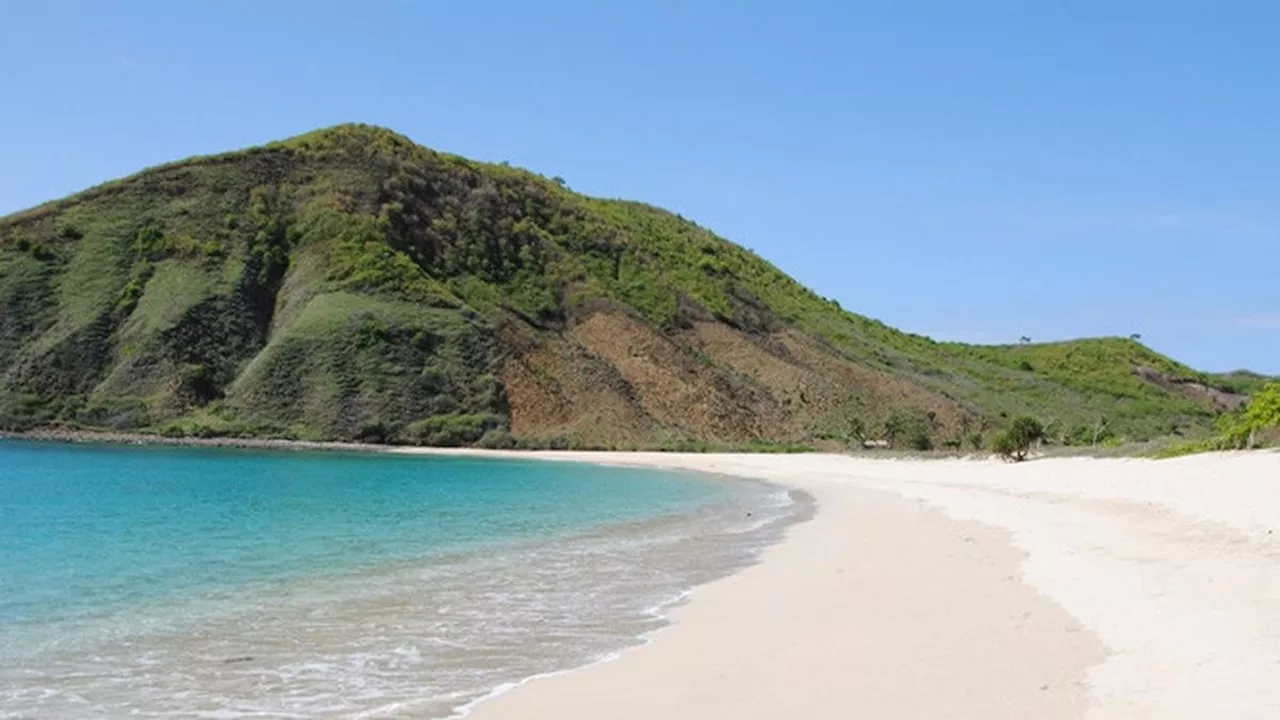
(610, 379)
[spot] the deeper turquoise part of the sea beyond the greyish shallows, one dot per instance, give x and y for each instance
(86, 528)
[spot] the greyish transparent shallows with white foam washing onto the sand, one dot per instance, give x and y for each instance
(431, 639)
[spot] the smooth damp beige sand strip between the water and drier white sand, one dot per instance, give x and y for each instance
(1043, 675)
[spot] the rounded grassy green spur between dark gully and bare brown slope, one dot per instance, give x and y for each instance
(350, 363)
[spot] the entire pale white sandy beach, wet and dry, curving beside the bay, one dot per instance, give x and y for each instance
(926, 590)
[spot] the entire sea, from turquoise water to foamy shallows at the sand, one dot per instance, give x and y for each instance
(168, 582)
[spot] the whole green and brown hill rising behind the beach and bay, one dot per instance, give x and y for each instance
(353, 285)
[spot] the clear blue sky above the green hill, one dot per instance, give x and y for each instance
(972, 171)
